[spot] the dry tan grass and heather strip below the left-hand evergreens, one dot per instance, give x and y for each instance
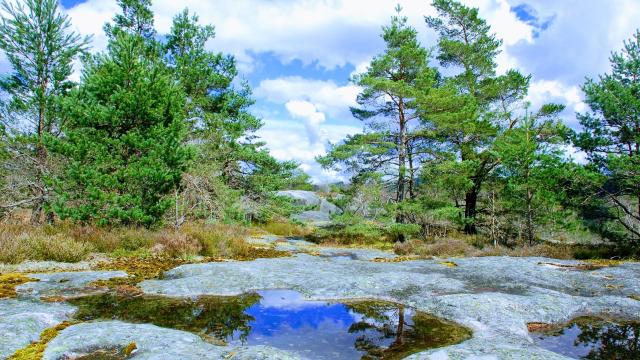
(66, 242)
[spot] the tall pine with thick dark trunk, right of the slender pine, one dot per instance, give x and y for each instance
(474, 106)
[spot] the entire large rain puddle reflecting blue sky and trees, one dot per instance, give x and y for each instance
(283, 319)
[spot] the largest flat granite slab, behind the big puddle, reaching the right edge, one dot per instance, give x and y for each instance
(494, 296)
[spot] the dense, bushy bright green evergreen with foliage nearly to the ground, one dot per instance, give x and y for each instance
(125, 138)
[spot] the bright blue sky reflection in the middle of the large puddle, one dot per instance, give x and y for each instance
(315, 329)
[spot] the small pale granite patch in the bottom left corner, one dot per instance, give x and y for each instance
(22, 321)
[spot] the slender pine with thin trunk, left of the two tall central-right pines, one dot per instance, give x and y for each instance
(390, 87)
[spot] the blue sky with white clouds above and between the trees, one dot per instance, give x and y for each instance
(298, 55)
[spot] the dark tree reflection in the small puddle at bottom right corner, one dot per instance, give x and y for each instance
(610, 341)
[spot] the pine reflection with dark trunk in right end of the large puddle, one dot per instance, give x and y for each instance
(390, 331)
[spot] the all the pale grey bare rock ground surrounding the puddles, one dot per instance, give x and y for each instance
(493, 296)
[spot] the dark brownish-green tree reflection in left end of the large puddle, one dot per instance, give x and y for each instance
(208, 316)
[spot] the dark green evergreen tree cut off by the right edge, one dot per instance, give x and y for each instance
(611, 134)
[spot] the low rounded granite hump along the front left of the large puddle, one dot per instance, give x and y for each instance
(152, 342)
